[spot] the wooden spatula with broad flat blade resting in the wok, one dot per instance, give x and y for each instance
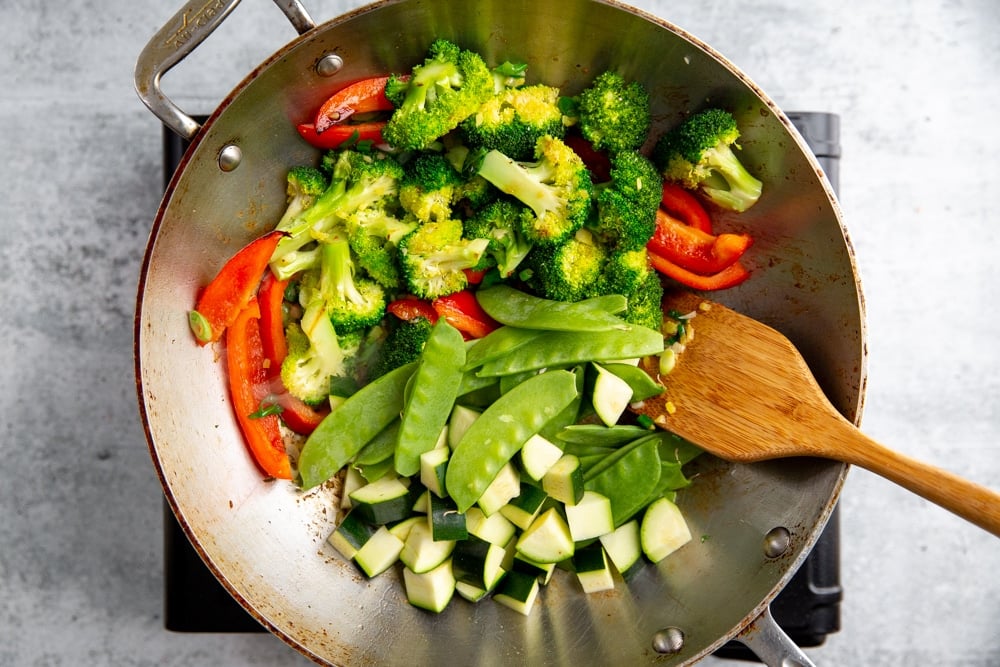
(741, 391)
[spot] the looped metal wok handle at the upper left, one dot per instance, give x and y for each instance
(174, 41)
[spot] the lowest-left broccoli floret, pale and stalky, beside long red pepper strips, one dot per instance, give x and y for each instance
(314, 356)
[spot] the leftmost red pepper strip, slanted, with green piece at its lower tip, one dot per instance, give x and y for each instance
(222, 300)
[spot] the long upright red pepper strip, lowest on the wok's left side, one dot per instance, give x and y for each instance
(248, 387)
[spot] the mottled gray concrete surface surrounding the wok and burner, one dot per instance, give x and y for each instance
(915, 82)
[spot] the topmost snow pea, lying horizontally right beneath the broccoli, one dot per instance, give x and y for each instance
(519, 309)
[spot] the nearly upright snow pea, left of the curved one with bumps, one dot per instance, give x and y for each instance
(430, 397)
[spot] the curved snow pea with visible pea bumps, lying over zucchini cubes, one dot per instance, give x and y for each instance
(502, 429)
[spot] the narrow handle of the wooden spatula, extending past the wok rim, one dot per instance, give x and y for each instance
(967, 499)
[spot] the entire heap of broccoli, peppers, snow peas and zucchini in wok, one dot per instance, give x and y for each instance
(451, 309)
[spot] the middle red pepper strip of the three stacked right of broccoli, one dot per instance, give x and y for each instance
(693, 249)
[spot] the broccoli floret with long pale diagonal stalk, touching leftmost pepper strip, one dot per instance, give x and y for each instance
(358, 181)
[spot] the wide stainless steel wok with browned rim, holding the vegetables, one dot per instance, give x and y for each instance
(265, 540)
